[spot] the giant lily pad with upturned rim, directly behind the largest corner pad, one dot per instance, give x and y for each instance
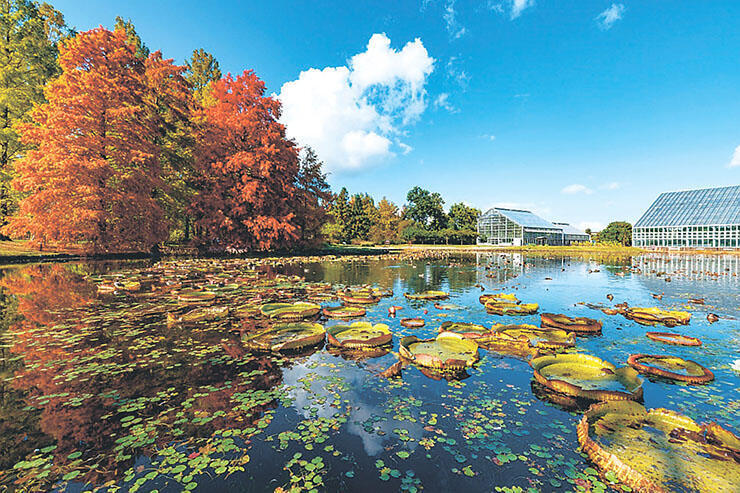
(588, 377)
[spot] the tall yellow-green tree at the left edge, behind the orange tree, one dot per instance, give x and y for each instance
(29, 34)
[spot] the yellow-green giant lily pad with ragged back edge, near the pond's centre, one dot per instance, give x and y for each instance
(448, 351)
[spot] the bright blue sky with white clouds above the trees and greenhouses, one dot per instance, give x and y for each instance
(583, 111)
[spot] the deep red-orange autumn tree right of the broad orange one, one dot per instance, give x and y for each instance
(247, 197)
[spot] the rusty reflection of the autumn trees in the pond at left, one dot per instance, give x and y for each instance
(85, 364)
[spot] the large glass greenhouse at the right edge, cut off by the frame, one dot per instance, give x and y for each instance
(705, 218)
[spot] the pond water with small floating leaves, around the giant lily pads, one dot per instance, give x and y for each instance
(98, 391)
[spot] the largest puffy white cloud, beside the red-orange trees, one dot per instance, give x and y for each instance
(352, 114)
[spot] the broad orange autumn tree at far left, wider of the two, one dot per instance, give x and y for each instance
(92, 175)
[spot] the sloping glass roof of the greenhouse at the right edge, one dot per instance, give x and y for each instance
(708, 206)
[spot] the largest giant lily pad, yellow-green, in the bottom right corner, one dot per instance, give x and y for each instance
(660, 450)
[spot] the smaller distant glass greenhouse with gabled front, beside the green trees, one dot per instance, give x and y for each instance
(500, 226)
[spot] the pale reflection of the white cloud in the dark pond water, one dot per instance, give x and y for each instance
(359, 396)
